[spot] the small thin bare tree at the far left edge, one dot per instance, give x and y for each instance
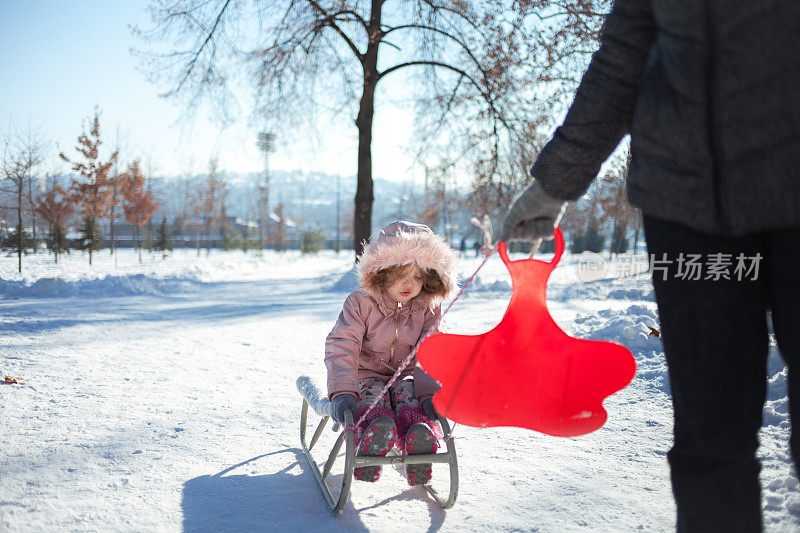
(22, 152)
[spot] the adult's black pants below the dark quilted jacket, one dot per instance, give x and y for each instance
(716, 343)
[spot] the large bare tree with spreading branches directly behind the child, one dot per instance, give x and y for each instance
(332, 55)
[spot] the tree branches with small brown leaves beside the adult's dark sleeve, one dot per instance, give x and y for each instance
(565, 34)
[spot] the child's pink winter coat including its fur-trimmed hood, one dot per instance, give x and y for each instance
(373, 335)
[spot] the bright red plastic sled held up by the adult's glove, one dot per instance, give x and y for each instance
(526, 372)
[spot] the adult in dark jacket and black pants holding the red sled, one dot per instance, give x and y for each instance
(708, 90)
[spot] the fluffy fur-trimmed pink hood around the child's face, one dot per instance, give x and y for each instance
(403, 243)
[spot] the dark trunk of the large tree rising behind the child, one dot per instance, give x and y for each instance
(362, 219)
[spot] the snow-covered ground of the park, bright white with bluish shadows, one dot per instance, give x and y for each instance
(161, 396)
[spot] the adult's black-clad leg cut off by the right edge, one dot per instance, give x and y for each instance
(783, 273)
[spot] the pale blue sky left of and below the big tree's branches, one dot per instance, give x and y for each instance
(61, 58)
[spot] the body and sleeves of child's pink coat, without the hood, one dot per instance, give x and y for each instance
(371, 339)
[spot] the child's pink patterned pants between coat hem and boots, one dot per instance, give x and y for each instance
(399, 403)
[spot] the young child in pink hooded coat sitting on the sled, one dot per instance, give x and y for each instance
(404, 275)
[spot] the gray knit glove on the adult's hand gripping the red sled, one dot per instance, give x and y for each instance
(534, 215)
